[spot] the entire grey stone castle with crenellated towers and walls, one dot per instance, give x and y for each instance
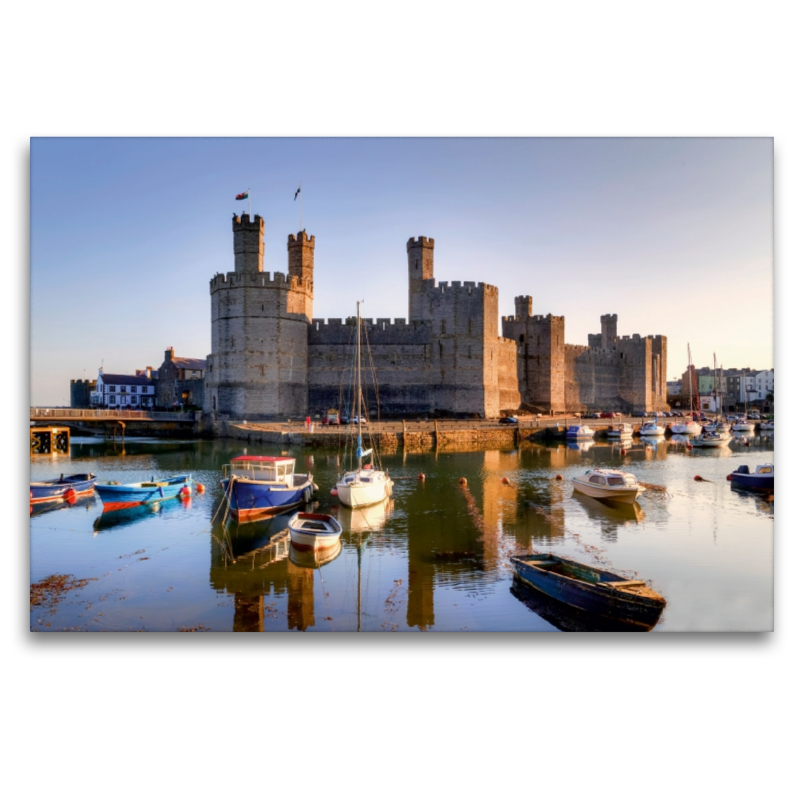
(271, 359)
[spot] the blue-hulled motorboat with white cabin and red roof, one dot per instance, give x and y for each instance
(256, 485)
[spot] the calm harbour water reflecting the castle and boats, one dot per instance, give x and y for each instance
(433, 558)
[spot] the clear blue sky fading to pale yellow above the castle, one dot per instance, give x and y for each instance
(673, 235)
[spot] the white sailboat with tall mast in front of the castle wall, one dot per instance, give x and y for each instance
(365, 485)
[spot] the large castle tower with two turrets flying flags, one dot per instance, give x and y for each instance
(258, 367)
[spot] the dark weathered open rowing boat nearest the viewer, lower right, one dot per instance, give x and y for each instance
(591, 589)
